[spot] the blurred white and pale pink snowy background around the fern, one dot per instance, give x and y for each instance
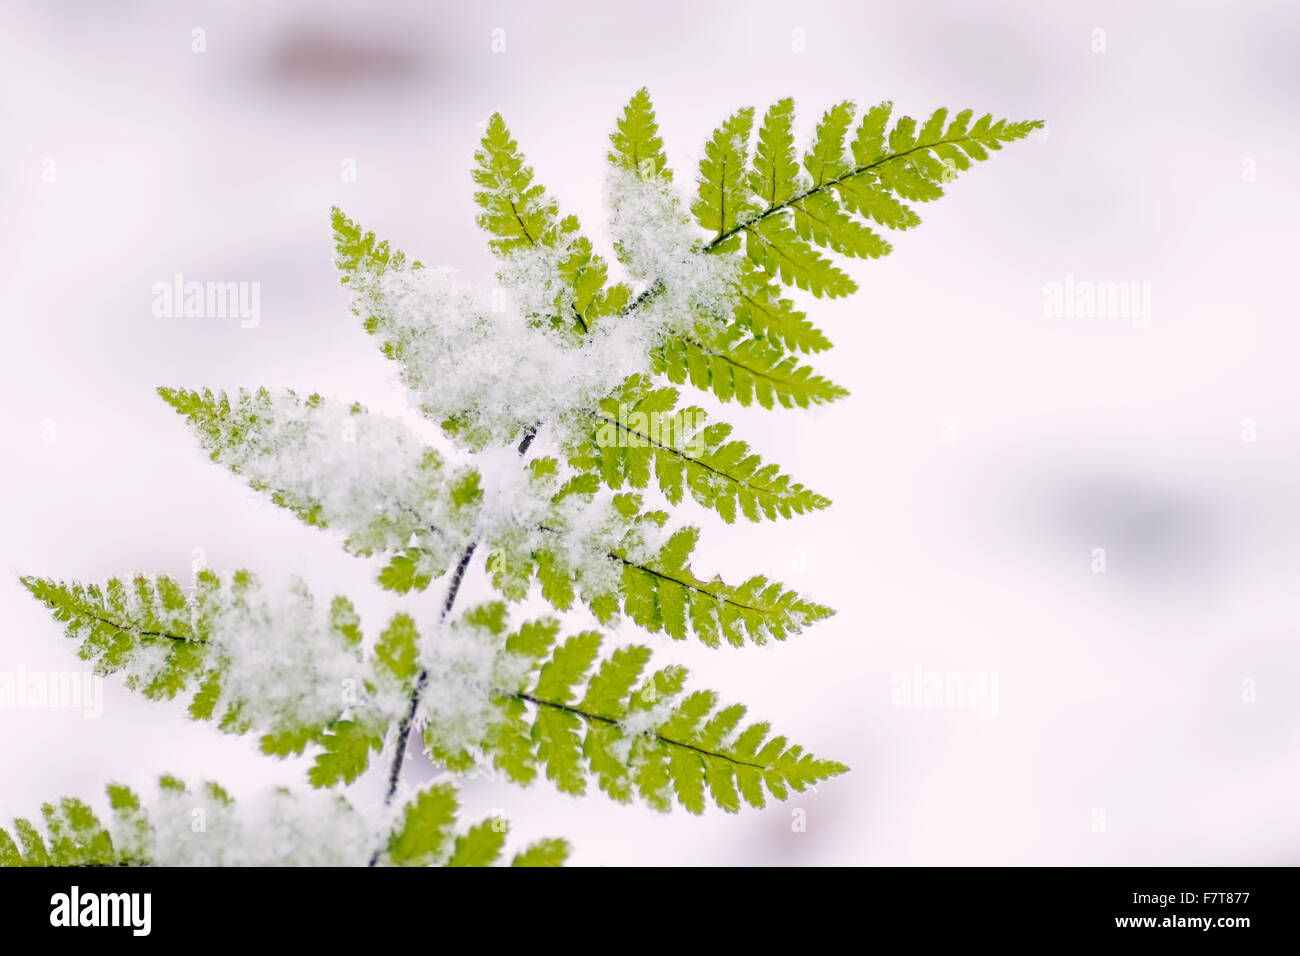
(1121, 734)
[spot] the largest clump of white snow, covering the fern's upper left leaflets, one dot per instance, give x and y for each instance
(492, 365)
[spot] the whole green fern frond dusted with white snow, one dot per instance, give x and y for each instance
(561, 399)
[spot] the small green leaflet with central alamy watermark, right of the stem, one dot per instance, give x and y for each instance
(640, 432)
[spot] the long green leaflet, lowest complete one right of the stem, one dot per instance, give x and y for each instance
(566, 713)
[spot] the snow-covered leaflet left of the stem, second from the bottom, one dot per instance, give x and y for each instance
(250, 659)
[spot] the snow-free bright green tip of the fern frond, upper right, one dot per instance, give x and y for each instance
(782, 215)
